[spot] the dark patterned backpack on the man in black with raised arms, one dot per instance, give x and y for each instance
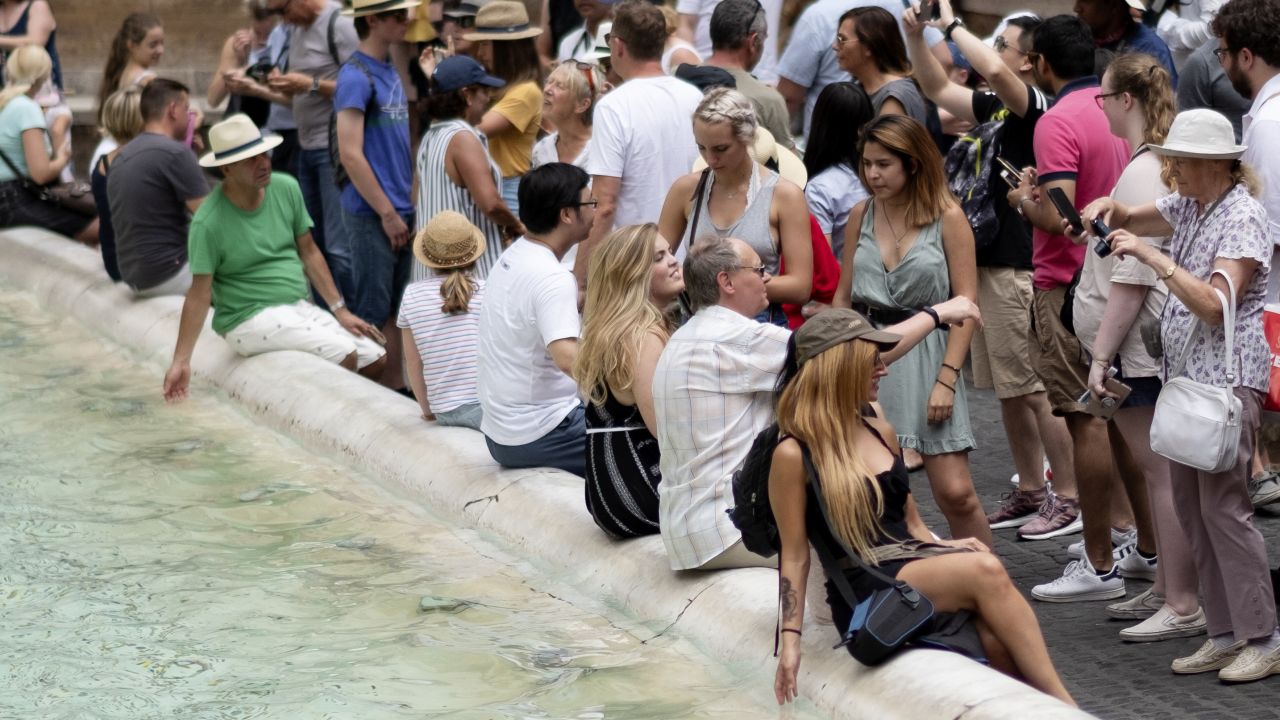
(970, 167)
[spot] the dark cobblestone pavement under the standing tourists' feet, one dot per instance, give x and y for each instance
(1109, 678)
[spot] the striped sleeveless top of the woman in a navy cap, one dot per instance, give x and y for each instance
(437, 192)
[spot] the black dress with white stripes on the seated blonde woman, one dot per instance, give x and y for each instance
(623, 471)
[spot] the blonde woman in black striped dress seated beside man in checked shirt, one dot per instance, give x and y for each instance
(633, 280)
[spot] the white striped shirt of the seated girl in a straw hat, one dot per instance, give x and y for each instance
(447, 344)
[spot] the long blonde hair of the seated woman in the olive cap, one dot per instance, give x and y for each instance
(820, 408)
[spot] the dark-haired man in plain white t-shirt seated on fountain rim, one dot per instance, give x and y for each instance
(529, 329)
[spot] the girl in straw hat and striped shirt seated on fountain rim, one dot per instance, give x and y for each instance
(440, 322)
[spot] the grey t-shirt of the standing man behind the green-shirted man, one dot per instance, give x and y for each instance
(310, 54)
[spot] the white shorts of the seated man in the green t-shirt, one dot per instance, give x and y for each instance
(305, 329)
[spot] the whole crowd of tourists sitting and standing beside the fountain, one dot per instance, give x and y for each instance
(642, 244)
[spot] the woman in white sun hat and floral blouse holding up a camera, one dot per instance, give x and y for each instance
(1222, 247)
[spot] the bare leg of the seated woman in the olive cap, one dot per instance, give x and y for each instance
(979, 582)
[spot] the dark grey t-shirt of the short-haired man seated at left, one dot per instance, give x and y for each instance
(149, 188)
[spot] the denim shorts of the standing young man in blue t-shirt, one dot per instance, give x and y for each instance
(380, 272)
